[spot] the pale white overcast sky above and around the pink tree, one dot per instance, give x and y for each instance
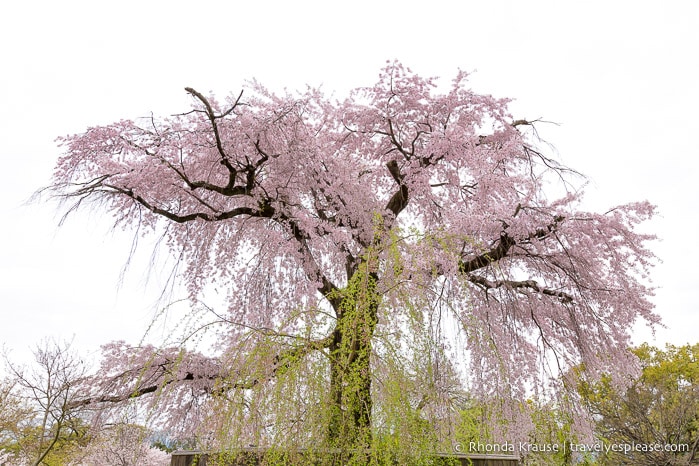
(620, 77)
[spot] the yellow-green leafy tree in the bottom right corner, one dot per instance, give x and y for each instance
(660, 408)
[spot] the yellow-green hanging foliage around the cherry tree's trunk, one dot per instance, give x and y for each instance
(410, 397)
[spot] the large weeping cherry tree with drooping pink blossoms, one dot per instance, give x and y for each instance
(336, 231)
